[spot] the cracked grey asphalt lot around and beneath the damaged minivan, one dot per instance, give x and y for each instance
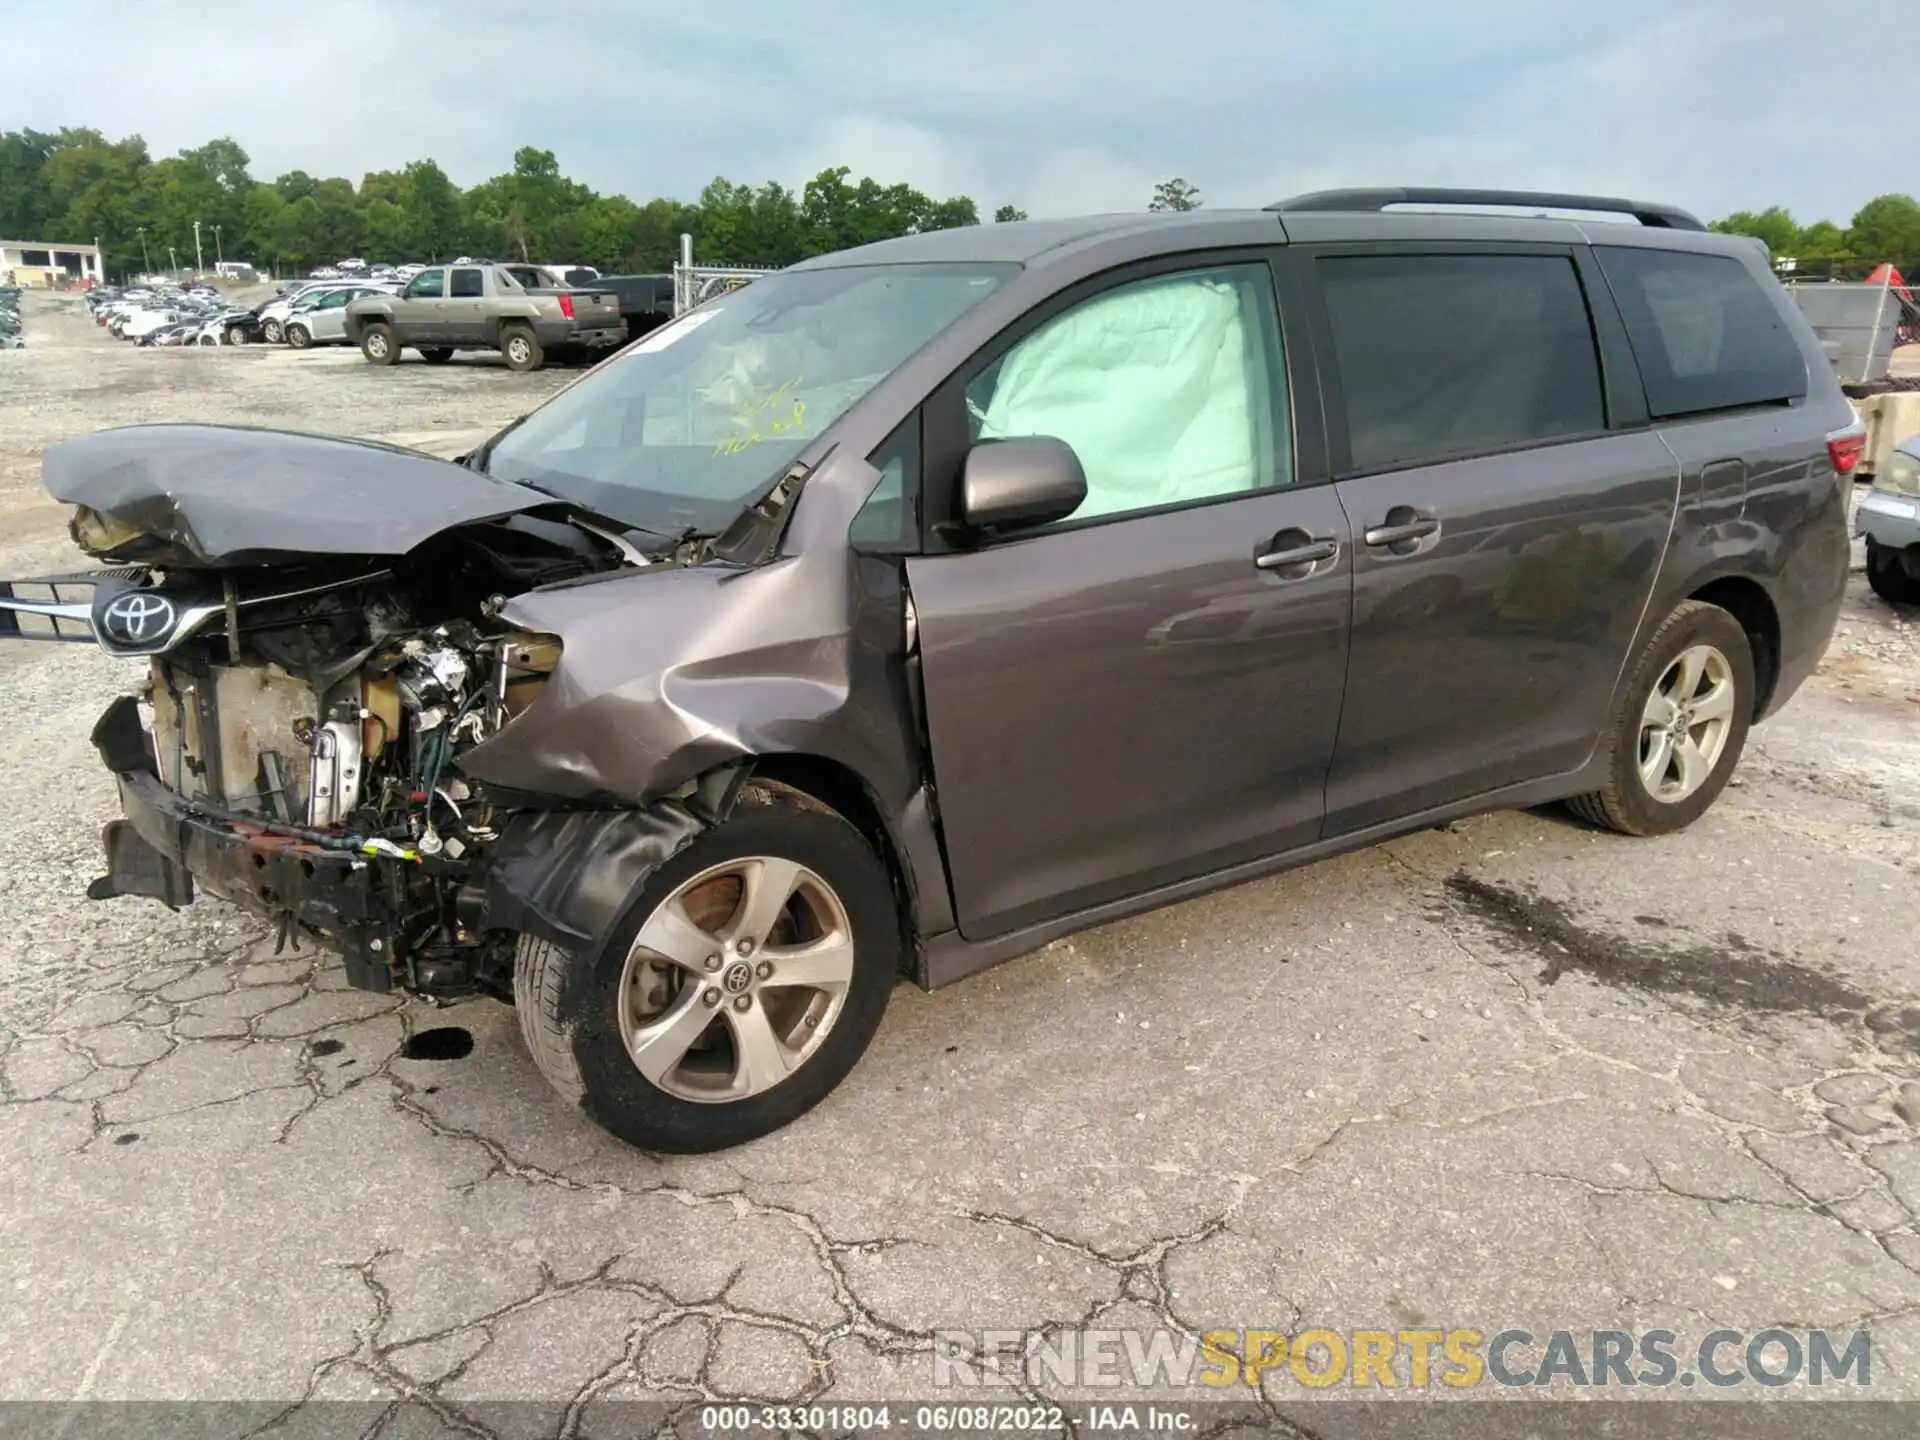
(1500, 1074)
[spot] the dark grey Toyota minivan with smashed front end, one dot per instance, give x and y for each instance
(917, 606)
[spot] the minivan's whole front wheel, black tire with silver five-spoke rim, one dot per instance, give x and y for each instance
(744, 984)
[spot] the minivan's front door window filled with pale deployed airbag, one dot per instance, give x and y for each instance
(1168, 389)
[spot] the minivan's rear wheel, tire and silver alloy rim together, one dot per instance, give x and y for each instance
(1627, 804)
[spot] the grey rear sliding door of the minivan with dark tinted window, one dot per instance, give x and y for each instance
(1510, 514)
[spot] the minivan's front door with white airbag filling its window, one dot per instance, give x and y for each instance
(1149, 690)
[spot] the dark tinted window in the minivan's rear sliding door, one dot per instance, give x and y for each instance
(1447, 356)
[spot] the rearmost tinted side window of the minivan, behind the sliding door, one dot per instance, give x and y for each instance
(1706, 335)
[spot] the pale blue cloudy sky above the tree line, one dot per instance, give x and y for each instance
(1059, 107)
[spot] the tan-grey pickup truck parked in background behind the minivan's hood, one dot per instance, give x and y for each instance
(516, 310)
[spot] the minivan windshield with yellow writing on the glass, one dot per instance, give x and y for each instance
(698, 420)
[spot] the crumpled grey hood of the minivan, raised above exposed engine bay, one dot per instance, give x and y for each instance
(197, 496)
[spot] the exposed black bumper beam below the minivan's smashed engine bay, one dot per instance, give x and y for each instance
(166, 844)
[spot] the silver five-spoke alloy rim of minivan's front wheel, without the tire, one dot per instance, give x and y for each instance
(734, 980)
